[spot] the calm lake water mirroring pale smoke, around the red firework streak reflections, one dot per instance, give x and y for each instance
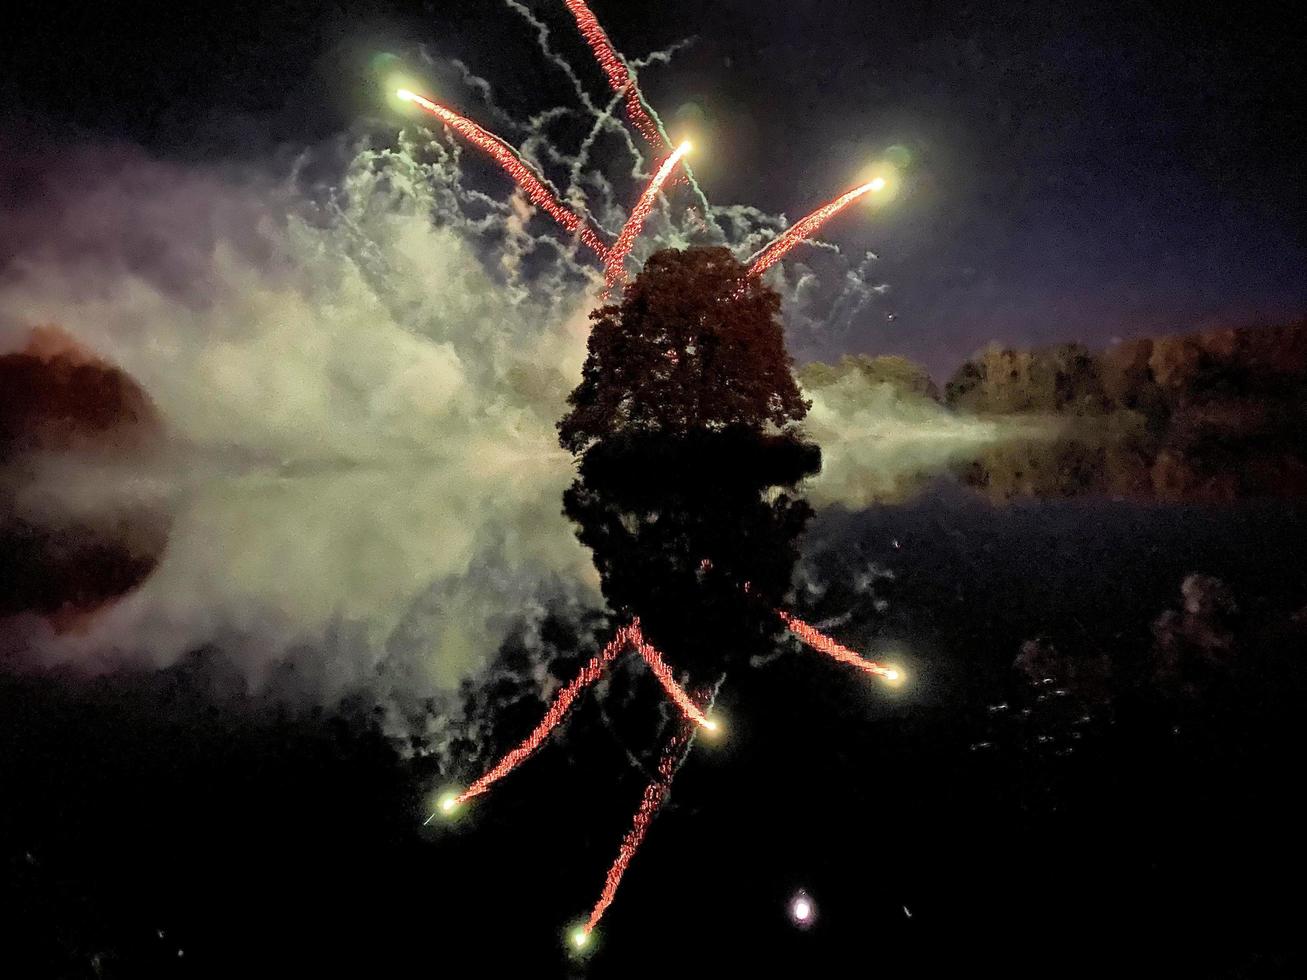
(1093, 765)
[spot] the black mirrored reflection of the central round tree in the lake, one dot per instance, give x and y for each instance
(696, 536)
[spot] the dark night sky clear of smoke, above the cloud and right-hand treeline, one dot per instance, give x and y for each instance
(1083, 171)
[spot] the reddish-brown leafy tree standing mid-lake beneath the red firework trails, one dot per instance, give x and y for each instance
(696, 344)
